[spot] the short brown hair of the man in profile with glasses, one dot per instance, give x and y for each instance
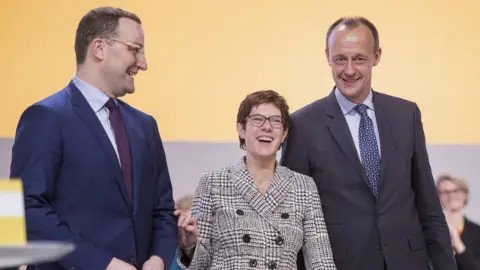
(98, 22)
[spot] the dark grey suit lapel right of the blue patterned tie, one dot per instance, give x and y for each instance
(387, 139)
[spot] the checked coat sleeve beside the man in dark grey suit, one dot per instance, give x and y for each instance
(317, 249)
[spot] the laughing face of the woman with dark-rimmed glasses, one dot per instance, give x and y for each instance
(263, 131)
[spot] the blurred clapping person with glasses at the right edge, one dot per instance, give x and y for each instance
(464, 233)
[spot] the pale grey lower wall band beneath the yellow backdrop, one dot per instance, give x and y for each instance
(188, 160)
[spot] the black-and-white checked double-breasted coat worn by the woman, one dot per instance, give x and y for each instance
(242, 229)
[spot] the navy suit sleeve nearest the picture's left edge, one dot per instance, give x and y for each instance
(36, 160)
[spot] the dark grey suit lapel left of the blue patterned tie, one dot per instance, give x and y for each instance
(337, 124)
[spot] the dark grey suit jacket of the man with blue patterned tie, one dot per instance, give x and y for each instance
(405, 228)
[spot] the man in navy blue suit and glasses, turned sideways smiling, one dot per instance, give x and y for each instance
(93, 167)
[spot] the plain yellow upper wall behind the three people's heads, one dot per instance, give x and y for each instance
(215, 52)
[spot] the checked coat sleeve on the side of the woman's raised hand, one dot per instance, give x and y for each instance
(202, 212)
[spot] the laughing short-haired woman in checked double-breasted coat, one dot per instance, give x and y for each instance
(256, 214)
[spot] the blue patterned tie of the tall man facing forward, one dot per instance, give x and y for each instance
(369, 148)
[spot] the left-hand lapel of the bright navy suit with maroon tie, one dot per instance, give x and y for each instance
(83, 109)
